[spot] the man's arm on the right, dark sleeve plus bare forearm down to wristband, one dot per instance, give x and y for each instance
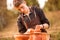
(44, 21)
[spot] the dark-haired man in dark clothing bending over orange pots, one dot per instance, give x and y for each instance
(32, 17)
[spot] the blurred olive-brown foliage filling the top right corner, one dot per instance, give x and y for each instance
(52, 5)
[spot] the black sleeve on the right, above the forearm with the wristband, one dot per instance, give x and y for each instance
(43, 18)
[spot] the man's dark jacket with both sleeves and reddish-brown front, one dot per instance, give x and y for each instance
(40, 19)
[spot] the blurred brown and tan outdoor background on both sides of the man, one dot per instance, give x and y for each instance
(8, 17)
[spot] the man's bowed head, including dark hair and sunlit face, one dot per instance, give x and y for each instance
(21, 6)
